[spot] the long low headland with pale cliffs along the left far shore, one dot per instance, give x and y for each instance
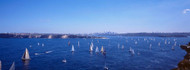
(40, 35)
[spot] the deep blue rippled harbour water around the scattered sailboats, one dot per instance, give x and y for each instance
(157, 58)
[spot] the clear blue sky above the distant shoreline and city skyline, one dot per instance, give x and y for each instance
(89, 16)
